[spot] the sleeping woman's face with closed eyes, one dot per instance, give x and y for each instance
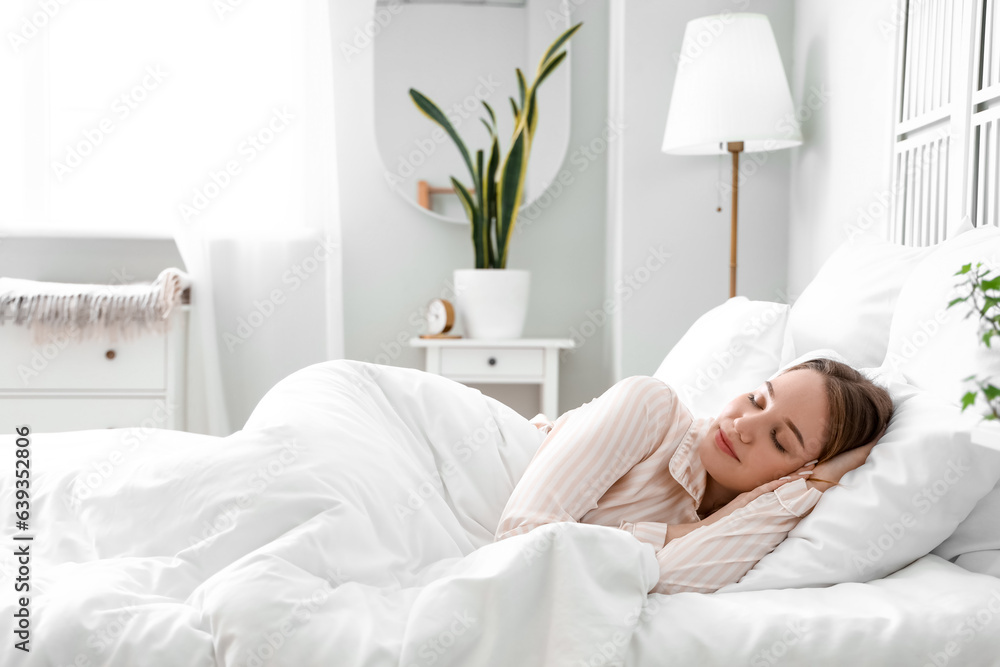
(768, 432)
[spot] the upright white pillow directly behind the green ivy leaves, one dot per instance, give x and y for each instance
(934, 346)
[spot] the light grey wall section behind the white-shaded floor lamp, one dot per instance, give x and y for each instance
(669, 201)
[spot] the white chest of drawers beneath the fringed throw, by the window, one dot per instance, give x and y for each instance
(66, 384)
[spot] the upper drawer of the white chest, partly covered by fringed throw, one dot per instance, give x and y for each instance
(68, 364)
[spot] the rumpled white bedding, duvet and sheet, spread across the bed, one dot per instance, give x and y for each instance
(351, 523)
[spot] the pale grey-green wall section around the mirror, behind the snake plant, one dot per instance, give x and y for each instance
(397, 258)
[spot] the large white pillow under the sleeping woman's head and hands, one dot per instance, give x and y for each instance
(919, 483)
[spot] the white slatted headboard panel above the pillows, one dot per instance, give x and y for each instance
(946, 138)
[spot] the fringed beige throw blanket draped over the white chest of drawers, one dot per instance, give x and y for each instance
(90, 311)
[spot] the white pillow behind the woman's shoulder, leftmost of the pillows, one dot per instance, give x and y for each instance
(731, 348)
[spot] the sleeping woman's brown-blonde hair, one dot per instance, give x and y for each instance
(860, 410)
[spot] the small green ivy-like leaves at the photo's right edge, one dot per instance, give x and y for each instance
(982, 293)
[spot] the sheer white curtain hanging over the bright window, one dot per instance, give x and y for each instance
(210, 121)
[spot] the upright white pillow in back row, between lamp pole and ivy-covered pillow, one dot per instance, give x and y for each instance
(848, 305)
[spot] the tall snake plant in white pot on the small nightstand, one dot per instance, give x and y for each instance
(492, 299)
